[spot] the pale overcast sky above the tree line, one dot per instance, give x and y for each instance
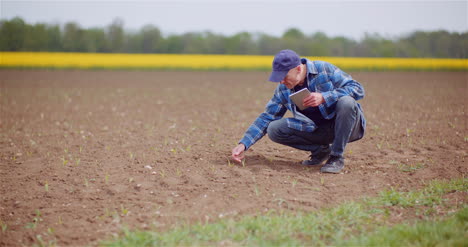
(347, 18)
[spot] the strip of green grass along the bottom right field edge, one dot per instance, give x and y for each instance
(353, 223)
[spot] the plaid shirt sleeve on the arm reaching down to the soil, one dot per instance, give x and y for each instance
(274, 110)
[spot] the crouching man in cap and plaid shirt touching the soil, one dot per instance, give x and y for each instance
(331, 120)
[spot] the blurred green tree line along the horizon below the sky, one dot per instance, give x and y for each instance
(17, 35)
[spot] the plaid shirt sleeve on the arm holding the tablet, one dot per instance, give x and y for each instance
(344, 85)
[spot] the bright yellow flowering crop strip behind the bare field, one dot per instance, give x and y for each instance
(210, 62)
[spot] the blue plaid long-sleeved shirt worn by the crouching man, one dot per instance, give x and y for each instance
(322, 77)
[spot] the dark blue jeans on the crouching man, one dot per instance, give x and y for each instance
(345, 128)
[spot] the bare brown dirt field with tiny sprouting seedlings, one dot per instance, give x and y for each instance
(84, 153)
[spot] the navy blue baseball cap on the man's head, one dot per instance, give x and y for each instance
(282, 63)
